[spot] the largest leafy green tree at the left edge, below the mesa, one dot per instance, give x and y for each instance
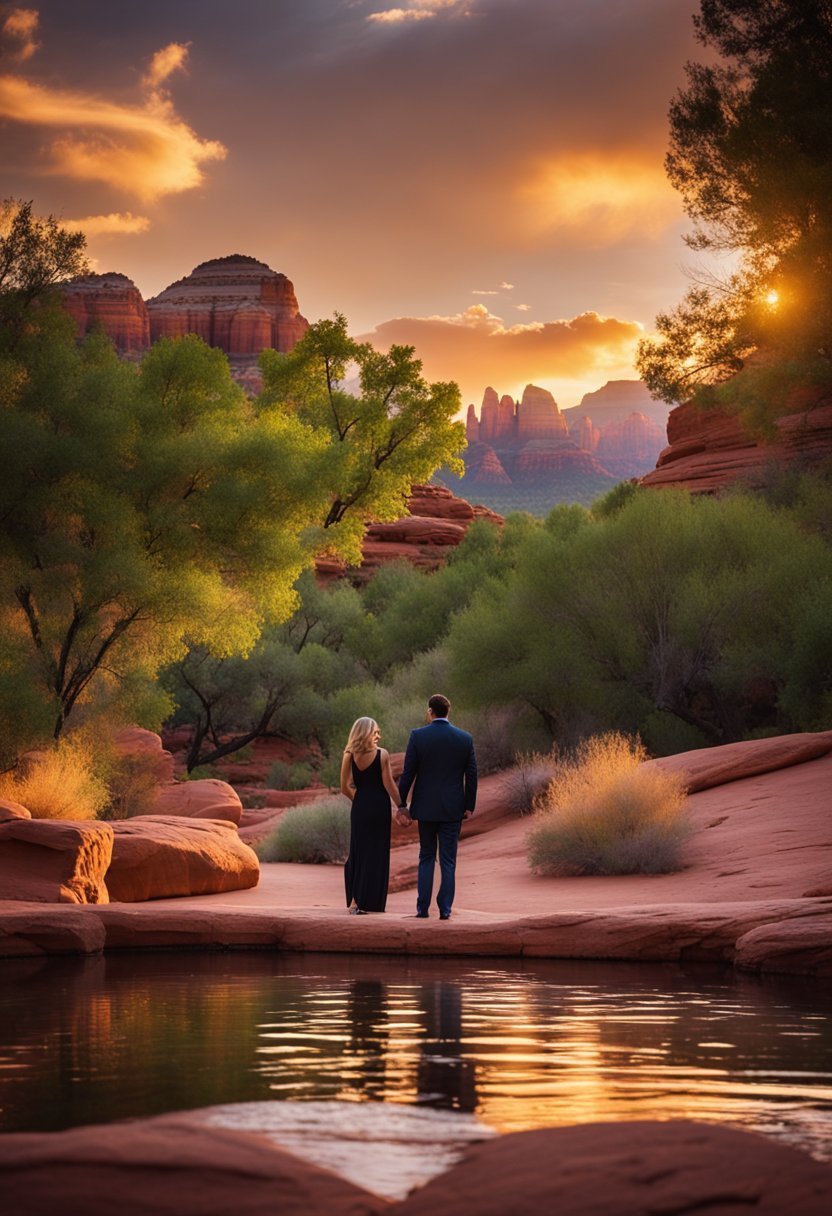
(142, 510)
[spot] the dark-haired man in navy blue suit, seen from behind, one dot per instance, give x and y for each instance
(441, 759)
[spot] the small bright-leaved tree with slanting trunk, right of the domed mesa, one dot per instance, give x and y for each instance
(391, 431)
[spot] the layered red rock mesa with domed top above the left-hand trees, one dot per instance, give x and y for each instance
(238, 305)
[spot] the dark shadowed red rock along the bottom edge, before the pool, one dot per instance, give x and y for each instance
(177, 1167)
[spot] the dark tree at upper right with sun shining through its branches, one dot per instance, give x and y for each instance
(751, 154)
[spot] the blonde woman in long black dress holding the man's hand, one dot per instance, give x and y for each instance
(367, 780)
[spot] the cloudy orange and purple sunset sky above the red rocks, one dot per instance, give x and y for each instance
(482, 179)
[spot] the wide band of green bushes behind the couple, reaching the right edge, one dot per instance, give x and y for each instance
(689, 622)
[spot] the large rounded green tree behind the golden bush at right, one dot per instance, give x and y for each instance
(677, 618)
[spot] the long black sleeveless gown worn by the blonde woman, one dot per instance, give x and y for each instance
(368, 868)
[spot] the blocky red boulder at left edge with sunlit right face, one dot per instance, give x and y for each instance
(55, 862)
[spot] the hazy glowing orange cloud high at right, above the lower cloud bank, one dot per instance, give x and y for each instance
(601, 199)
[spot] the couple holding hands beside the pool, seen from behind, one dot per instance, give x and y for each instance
(441, 762)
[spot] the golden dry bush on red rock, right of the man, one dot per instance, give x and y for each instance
(605, 814)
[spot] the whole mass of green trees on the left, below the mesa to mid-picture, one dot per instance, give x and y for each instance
(155, 515)
